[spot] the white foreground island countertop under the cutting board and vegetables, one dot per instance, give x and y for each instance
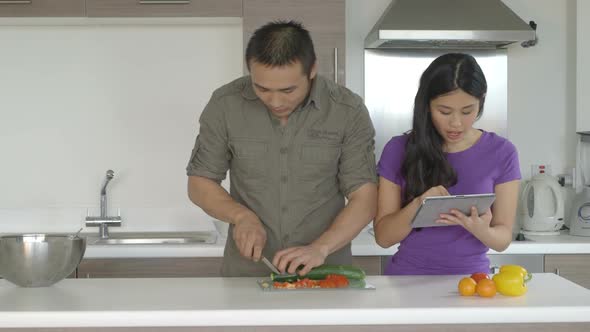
(240, 302)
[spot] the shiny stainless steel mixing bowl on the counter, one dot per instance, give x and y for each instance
(38, 260)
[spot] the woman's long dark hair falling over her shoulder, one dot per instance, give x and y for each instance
(425, 165)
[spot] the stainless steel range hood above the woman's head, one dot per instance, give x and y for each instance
(465, 24)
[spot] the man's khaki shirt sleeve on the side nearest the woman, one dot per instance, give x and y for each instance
(357, 161)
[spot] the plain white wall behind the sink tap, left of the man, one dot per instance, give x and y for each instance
(78, 100)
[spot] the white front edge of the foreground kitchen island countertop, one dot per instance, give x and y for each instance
(369, 316)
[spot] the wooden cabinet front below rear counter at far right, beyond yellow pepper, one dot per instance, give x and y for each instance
(575, 267)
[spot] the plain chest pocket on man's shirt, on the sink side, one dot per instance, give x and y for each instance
(249, 158)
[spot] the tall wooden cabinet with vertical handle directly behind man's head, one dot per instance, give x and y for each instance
(325, 20)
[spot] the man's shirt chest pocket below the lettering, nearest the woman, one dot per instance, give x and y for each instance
(319, 161)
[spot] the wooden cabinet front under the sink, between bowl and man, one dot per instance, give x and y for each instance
(165, 267)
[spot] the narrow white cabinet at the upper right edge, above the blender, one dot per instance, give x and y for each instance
(583, 66)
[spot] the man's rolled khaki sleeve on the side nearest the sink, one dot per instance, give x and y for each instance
(210, 155)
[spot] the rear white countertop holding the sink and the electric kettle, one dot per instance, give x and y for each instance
(363, 245)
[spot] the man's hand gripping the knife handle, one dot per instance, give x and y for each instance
(250, 237)
